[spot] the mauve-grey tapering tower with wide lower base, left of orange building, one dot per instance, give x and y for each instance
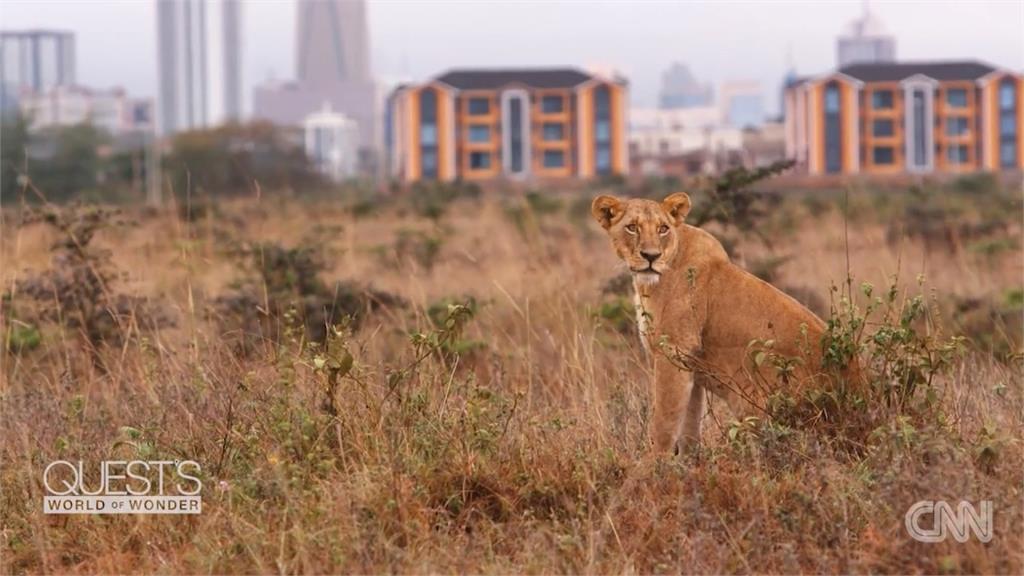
(333, 66)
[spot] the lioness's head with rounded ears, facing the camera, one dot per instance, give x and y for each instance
(644, 232)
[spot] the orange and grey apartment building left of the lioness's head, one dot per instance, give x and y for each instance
(486, 125)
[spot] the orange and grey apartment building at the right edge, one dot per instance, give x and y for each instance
(907, 118)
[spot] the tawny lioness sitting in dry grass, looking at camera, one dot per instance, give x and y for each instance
(708, 323)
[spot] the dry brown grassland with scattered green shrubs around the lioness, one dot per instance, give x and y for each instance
(483, 404)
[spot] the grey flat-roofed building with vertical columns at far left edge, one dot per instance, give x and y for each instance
(34, 61)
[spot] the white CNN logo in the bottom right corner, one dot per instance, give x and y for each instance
(947, 521)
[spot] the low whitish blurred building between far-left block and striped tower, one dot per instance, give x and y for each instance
(112, 111)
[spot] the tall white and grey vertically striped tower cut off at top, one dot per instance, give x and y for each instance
(187, 87)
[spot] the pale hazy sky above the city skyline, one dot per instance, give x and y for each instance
(416, 39)
